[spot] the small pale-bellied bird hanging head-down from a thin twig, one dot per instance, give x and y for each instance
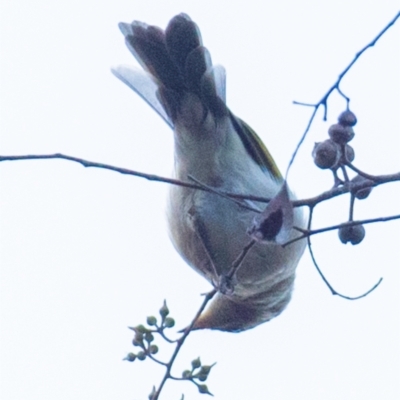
(219, 151)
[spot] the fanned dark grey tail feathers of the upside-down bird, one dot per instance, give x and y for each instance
(176, 63)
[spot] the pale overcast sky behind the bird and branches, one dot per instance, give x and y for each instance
(85, 252)
